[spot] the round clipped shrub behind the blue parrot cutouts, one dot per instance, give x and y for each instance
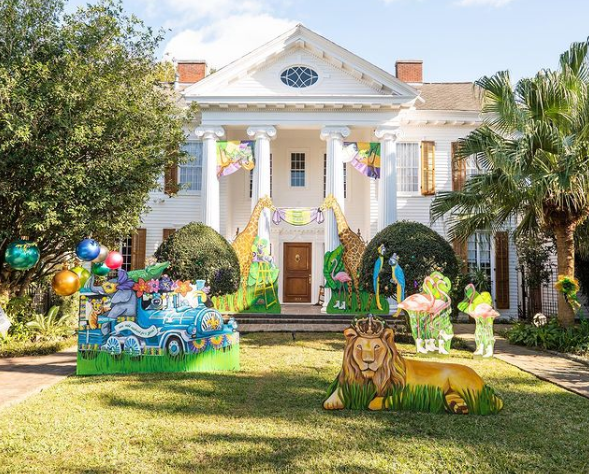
(421, 251)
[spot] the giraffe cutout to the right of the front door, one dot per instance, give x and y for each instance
(352, 243)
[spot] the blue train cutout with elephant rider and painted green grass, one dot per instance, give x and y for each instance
(155, 325)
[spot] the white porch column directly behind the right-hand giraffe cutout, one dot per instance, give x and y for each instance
(334, 137)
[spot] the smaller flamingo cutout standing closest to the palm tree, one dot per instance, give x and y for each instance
(479, 307)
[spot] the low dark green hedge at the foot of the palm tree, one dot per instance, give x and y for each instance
(552, 336)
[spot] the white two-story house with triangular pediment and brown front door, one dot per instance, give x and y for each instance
(300, 97)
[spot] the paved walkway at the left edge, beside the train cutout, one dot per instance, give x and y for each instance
(21, 377)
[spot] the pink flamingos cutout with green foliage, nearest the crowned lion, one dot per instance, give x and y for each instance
(429, 315)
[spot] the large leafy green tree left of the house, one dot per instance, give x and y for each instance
(85, 128)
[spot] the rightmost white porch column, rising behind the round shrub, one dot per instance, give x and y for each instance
(387, 184)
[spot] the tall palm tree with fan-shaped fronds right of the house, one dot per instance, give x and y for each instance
(534, 147)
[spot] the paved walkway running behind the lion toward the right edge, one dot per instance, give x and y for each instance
(568, 374)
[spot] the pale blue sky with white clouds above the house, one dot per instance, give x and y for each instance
(458, 40)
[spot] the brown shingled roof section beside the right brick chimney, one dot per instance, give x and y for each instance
(448, 96)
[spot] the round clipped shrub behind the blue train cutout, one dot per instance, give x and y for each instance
(198, 252)
